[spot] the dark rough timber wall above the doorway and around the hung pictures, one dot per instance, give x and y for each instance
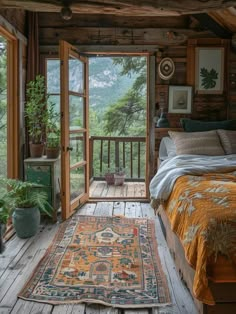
(102, 30)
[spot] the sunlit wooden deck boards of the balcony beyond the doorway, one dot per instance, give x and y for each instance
(129, 189)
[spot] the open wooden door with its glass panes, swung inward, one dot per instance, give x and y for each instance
(74, 129)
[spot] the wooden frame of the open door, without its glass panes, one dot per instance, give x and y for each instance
(68, 205)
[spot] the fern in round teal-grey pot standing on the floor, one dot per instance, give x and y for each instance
(25, 200)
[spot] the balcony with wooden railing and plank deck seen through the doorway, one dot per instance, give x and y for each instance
(111, 154)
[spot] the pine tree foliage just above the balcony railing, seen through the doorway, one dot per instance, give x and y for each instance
(126, 116)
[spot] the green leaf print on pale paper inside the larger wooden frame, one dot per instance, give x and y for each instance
(209, 70)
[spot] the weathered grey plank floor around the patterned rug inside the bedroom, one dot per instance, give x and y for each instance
(22, 255)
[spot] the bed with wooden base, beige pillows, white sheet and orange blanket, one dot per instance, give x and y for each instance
(194, 194)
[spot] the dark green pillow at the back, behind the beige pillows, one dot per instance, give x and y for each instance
(198, 126)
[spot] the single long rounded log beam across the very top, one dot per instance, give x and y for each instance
(122, 7)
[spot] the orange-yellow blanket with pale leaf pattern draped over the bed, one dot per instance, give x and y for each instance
(202, 212)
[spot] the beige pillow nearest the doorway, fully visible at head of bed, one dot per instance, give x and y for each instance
(197, 143)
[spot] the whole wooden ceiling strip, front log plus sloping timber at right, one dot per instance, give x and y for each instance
(223, 12)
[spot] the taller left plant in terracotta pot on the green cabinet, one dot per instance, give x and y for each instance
(36, 114)
